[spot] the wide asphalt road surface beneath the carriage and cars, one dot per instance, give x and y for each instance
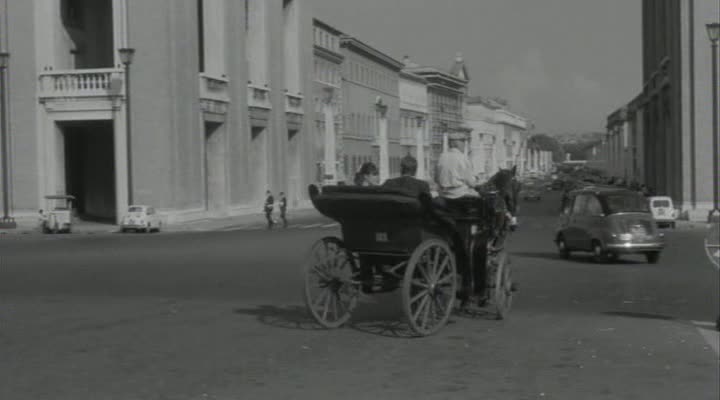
(219, 315)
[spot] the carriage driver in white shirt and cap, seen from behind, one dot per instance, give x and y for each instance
(454, 175)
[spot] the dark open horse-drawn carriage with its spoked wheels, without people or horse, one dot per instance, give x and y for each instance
(393, 239)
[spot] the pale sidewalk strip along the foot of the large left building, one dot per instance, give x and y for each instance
(29, 227)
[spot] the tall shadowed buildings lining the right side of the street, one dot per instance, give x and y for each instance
(663, 137)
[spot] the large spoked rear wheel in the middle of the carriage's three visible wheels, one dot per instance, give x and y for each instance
(429, 286)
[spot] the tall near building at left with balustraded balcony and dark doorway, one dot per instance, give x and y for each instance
(210, 148)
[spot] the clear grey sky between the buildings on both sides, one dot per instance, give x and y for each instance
(564, 64)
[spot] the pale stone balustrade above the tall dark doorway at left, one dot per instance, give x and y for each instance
(82, 83)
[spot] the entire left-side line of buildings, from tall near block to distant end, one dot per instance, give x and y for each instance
(198, 107)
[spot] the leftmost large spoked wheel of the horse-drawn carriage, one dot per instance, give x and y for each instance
(331, 292)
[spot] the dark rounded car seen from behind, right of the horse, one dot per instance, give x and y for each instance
(608, 222)
